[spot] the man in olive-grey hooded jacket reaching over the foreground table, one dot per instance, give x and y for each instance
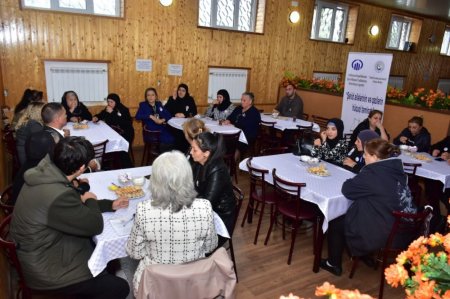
(53, 222)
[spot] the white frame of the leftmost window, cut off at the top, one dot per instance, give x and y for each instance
(54, 6)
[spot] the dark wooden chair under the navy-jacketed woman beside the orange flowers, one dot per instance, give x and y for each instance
(410, 225)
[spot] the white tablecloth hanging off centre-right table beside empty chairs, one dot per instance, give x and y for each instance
(323, 191)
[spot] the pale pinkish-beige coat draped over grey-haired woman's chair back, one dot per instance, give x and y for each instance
(212, 277)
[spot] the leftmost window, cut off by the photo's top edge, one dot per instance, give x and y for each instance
(113, 8)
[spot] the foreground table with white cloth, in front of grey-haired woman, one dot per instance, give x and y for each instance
(111, 243)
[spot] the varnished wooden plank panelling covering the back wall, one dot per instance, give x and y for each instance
(170, 35)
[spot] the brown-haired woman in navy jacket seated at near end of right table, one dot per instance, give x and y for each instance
(379, 189)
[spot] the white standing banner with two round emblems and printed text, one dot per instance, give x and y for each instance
(365, 86)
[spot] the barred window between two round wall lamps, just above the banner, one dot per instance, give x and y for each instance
(329, 21)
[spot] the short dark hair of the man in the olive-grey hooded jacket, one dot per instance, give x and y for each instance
(71, 153)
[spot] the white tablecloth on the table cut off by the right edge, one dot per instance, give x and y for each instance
(435, 170)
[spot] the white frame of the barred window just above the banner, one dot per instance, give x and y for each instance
(316, 25)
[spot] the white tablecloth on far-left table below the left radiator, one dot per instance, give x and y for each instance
(99, 132)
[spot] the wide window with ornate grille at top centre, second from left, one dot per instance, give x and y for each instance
(241, 15)
